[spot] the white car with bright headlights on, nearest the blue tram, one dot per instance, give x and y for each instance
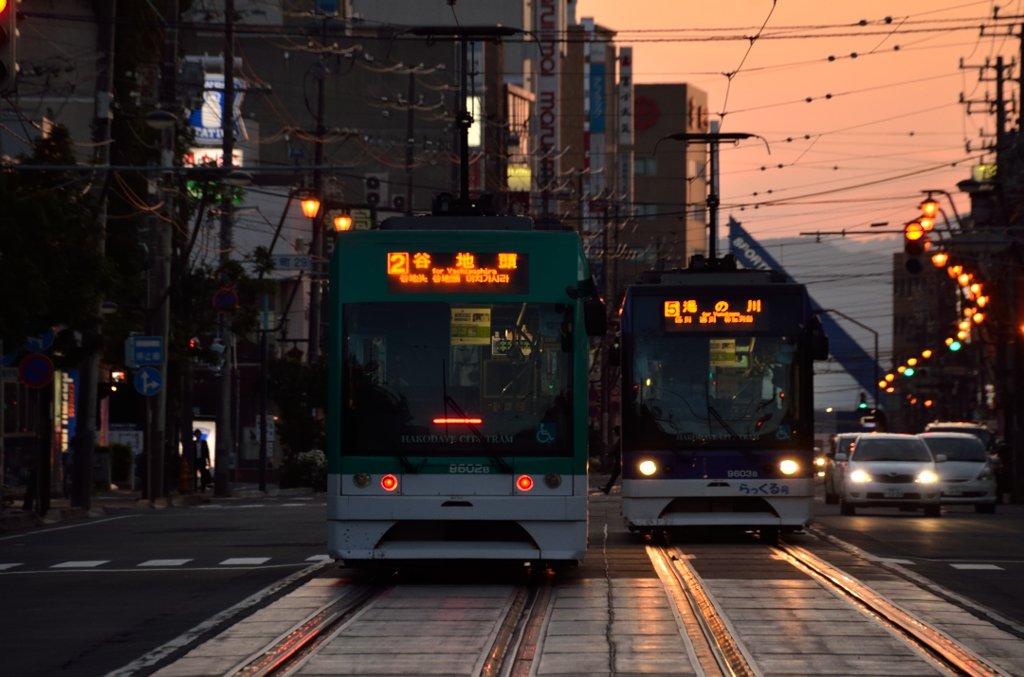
(889, 472)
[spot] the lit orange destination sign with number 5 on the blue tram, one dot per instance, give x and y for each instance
(717, 314)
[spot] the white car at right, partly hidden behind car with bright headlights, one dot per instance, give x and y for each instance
(969, 475)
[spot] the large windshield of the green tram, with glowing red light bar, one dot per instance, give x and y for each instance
(457, 379)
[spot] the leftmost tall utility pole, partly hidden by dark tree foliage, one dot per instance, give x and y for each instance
(90, 377)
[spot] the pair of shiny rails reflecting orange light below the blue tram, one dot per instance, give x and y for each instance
(732, 660)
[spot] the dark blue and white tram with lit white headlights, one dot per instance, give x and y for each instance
(718, 401)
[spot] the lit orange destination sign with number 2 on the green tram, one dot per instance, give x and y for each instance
(458, 273)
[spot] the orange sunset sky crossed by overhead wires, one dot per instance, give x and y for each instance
(892, 128)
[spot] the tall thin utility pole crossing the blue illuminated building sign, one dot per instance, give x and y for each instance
(226, 441)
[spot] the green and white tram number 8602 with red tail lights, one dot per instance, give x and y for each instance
(458, 392)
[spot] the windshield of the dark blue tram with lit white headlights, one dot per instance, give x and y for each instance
(717, 388)
